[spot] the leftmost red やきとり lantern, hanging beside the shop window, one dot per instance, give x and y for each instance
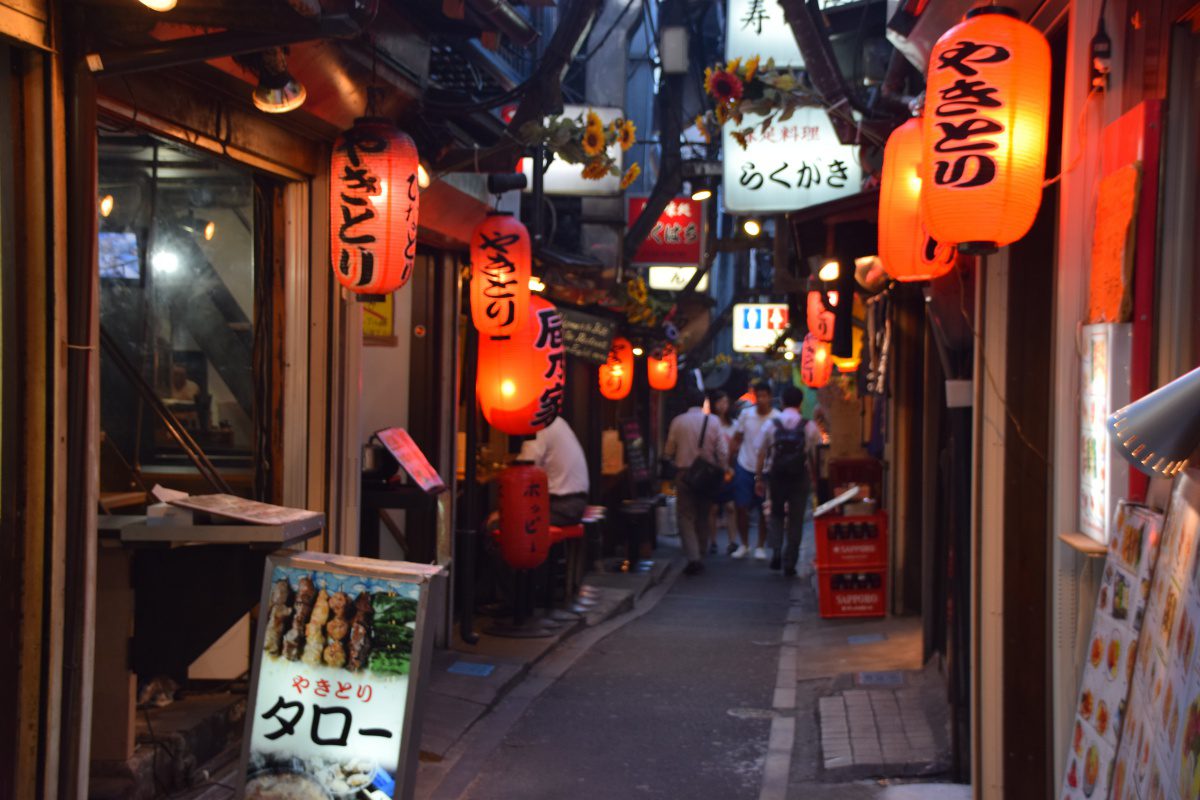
(373, 206)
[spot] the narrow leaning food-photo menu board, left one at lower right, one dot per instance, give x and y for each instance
(1113, 652)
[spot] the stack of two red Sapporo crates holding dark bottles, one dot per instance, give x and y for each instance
(853, 566)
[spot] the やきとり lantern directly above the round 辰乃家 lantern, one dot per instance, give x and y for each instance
(500, 275)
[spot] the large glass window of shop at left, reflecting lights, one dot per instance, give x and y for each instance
(177, 262)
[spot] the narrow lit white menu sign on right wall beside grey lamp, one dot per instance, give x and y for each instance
(1105, 388)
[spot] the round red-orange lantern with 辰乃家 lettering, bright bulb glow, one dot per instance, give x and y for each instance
(521, 376)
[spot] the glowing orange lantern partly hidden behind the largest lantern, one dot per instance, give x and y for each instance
(908, 251)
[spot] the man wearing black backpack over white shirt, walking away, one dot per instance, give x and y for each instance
(785, 460)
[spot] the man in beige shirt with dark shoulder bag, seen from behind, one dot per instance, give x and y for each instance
(694, 435)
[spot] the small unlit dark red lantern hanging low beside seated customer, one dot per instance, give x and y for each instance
(525, 516)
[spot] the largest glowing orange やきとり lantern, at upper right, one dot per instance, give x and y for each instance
(987, 118)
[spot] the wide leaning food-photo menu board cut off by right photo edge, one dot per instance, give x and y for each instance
(1159, 757)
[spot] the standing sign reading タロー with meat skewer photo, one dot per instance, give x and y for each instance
(340, 652)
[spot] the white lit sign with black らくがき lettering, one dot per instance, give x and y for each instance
(790, 166)
